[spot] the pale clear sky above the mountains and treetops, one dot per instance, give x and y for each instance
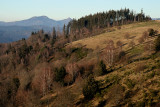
(12, 10)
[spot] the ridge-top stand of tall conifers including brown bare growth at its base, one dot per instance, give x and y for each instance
(88, 25)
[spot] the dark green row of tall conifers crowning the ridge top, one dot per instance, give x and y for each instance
(107, 19)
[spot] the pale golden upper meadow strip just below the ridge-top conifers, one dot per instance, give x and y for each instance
(135, 30)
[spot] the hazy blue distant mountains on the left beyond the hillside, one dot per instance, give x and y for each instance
(13, 31)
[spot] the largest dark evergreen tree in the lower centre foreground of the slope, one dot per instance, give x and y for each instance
(90, 88)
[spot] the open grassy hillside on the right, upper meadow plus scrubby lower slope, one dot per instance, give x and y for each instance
(135, 83)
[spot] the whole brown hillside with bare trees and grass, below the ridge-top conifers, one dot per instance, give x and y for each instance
(40, 71)
